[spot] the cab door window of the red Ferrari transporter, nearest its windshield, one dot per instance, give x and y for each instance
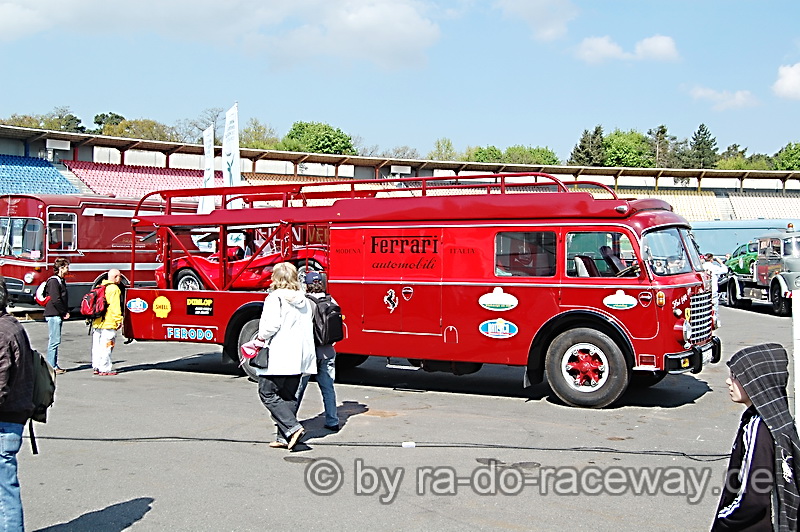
(598, 253)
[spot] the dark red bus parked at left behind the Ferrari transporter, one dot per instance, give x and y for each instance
(93, 232)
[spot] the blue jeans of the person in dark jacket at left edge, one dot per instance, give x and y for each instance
(10, 501)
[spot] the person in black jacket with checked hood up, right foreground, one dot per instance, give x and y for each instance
(760, 490)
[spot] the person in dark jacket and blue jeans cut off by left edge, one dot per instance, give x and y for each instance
(16, 406)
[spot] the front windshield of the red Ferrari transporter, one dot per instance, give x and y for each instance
(670, 251)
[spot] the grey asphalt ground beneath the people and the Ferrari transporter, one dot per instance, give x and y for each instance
(178, 441)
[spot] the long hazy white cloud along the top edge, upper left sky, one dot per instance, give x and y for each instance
(389, 33)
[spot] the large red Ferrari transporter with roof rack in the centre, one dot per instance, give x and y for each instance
(594, 291)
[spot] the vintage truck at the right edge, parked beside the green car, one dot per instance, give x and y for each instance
(775, 273)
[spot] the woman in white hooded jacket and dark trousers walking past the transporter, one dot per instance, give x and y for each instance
(286, 327)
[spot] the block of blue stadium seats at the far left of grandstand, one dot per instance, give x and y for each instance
(29, 175)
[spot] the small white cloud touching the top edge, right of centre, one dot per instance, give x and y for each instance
(547, 18)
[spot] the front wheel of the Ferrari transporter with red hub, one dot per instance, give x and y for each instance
(602, 364)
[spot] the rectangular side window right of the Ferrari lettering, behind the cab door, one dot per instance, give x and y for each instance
(525, 254)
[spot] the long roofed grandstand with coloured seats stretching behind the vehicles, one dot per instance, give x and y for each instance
(771, 194)
